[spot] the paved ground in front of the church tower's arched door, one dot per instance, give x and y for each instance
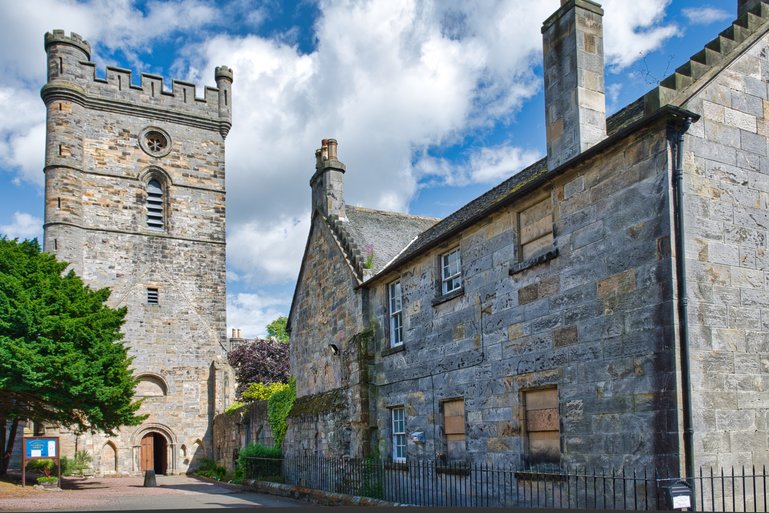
(128, 493)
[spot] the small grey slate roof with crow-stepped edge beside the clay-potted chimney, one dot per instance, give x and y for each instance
(372, 238)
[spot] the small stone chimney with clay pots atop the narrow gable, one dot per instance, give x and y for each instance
(327, 182)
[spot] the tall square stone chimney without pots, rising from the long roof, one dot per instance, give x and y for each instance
(575, 103)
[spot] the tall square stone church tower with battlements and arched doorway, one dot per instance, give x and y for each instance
(135, 201)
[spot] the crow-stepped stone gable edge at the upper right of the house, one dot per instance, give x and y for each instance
(703, 61)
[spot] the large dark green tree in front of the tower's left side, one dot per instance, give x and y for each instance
(61, 356)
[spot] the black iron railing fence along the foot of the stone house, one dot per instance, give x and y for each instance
(427, 483)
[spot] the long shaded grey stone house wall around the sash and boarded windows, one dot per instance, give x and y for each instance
(596, 321)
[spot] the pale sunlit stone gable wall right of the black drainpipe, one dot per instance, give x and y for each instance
(727, 218)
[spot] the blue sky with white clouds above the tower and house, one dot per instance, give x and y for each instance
(432, 102)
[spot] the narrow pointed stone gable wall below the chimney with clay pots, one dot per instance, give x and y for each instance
(327, 310)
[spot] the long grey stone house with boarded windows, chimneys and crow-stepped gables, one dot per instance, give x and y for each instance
(607, 306)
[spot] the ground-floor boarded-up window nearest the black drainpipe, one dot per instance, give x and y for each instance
(542, 426)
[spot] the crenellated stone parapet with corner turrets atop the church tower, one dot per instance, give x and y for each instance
(72, 77)
